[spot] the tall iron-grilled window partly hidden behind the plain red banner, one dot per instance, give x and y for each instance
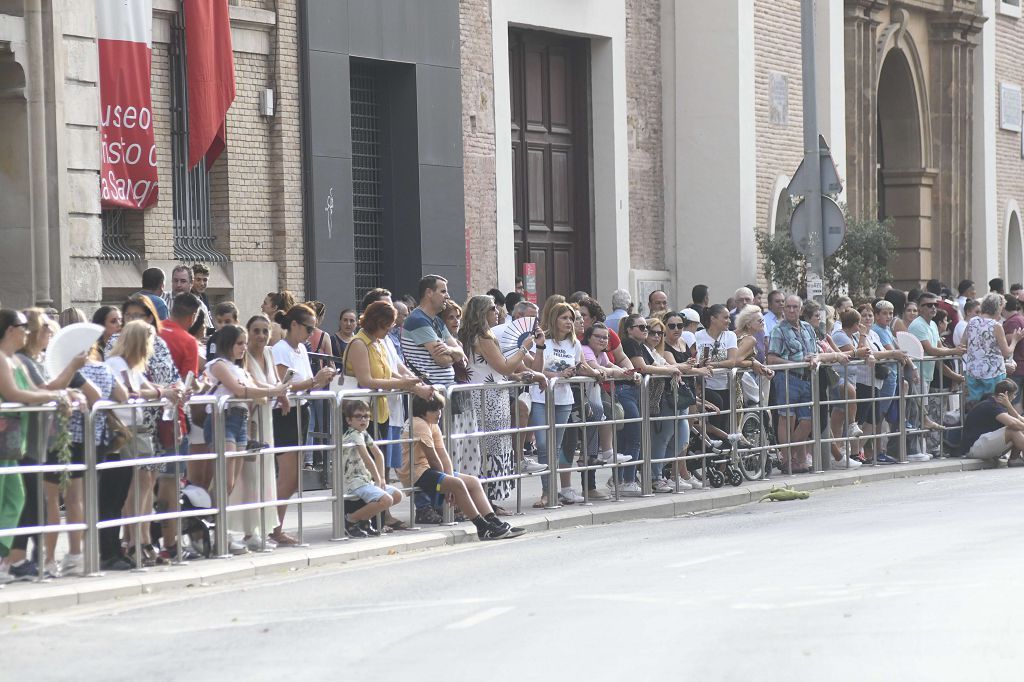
(194, 240)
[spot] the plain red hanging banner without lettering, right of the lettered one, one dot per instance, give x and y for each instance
(211, 77)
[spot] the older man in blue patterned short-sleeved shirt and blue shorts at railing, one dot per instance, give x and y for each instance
(794, 342)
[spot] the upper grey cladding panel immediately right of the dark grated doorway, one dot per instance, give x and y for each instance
(440, 96)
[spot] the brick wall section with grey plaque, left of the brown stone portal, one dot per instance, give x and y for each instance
(780, 147)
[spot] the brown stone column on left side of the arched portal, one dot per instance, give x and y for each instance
(863, 108)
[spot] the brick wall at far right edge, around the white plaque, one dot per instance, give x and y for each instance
(1009, 165)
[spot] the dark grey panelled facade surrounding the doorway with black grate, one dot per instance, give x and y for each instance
(425, 218)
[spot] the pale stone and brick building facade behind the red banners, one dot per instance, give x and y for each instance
(255, 216)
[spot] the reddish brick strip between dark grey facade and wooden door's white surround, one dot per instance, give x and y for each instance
(479, 143)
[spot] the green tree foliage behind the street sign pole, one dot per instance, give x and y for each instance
(861, 263)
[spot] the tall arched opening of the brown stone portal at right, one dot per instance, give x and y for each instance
(905, 183)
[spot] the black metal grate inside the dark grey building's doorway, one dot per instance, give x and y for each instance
(368, 156)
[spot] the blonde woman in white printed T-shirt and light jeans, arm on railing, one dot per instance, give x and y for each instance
(562, 358)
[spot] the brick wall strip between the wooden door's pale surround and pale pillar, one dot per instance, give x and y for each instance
(644, 119)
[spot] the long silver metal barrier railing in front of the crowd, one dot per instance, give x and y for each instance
(734, 458)
